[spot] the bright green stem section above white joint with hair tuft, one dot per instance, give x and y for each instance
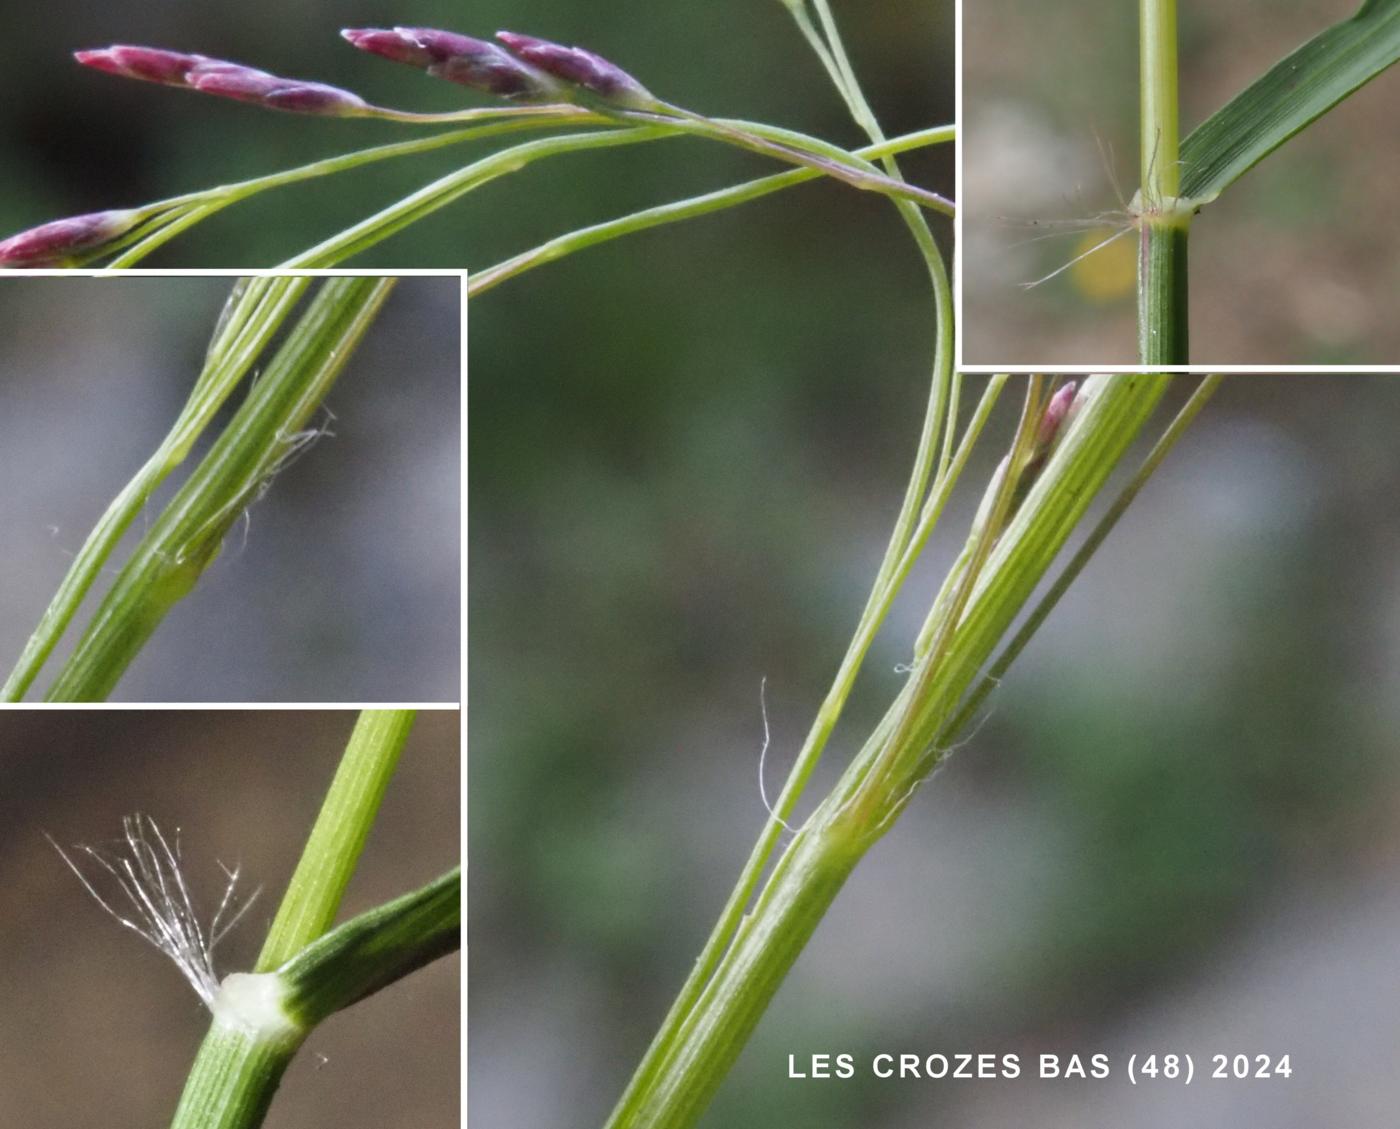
(335, 844)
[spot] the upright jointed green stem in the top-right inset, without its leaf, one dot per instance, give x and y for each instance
(1164, 218)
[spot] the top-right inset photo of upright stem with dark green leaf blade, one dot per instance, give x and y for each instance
(1175, 184)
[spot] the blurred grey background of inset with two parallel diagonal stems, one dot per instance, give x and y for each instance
(345, 582)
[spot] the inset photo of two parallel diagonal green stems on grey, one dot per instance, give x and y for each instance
(232, 490)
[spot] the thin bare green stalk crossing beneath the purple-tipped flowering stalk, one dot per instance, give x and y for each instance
(563, 246)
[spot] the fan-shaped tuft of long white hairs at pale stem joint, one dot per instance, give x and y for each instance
(155, 900)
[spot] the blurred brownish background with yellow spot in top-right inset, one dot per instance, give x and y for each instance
(1297, 264)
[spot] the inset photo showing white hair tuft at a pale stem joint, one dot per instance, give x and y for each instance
(230, 918)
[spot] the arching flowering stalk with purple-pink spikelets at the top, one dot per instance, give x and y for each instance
(551, 83)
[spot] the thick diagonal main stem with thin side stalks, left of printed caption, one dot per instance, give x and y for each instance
(1065, 448)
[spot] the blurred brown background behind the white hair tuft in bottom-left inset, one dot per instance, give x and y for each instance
(100, 1029)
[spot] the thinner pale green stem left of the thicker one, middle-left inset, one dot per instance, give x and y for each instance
(261, 307)
